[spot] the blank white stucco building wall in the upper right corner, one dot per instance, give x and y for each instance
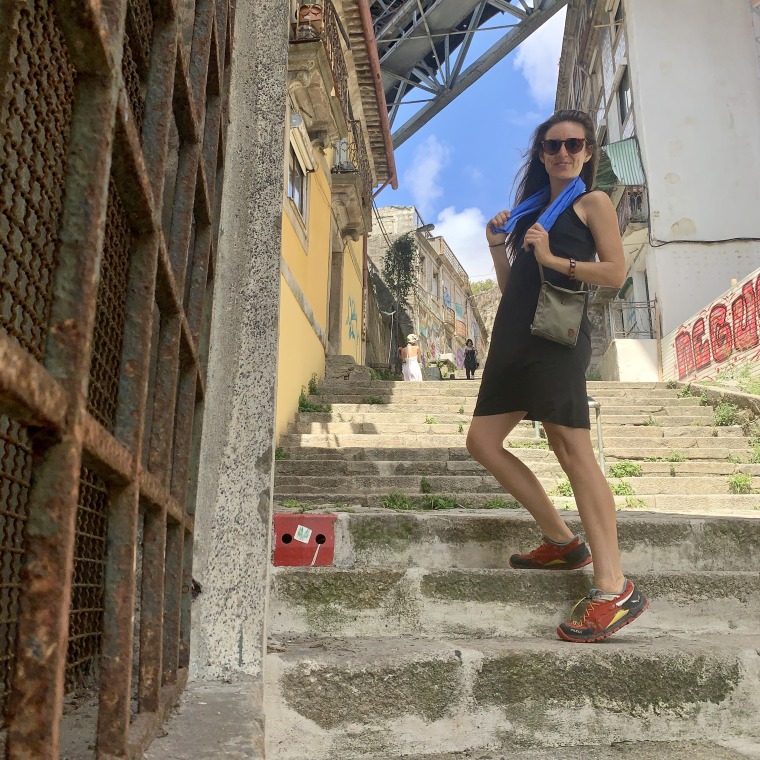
(697, 100)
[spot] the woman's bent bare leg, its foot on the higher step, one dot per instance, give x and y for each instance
(485, 442)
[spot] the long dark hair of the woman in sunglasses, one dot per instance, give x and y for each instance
(533, 175)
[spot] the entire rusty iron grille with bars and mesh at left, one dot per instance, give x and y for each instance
(146, 236)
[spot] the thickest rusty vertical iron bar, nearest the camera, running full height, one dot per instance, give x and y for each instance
(34, 725)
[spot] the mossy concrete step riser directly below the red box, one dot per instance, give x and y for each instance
(387, 601)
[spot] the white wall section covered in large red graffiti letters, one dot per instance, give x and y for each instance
(724, 332)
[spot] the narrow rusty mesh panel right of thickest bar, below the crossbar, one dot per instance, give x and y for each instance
(86, 615)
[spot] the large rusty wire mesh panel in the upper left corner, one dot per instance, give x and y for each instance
(36, 122)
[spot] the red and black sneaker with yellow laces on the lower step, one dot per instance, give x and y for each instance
(604, 614)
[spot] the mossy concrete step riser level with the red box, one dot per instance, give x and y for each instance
(649, 541)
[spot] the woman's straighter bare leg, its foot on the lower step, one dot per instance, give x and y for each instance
(596, 504)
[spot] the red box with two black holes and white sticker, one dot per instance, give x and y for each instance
(304, 540)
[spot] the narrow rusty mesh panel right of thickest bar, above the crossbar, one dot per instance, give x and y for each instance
(108, 337)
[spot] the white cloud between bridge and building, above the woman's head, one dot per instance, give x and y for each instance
(538, 59)
